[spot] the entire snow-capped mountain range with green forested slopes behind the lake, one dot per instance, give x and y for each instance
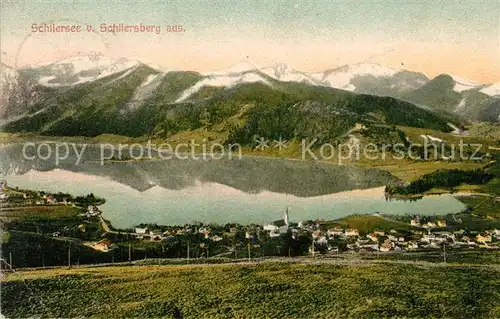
(93, 94)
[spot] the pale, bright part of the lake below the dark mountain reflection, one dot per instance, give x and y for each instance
(127, 206)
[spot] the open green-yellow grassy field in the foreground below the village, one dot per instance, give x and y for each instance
(267, 290)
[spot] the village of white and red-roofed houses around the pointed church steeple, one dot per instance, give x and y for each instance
(431, 235)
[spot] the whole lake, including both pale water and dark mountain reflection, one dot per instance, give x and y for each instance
(250, 190)
